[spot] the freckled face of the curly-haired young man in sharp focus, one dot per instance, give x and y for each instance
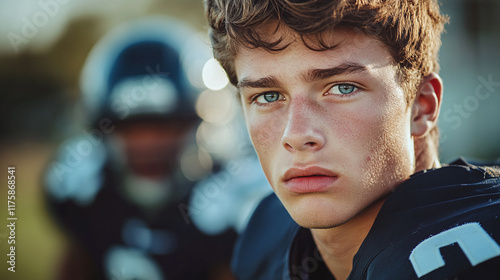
(331, 128)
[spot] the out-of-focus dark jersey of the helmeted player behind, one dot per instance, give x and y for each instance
(122, 240)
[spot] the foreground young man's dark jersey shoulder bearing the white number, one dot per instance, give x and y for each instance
(439, 224)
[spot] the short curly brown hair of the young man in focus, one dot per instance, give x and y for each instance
(411, 30)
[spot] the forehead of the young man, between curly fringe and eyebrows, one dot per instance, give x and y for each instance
(349, 46)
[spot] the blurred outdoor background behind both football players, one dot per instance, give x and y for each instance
(43, 46)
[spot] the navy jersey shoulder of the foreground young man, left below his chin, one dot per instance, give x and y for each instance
(261, 251)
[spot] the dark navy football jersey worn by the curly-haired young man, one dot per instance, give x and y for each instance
(439, 224)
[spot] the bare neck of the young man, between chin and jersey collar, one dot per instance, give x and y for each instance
(338, 245)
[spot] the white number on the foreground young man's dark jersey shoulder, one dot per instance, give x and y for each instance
(474, 241)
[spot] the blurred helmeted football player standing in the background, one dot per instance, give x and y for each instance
(117, 187)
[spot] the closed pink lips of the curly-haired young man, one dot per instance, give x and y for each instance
(309, 180)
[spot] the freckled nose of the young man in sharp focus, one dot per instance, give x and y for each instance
(303, 129)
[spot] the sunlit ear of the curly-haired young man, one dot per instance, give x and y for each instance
(427, 104)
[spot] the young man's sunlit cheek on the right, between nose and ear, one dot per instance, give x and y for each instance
(374, 137)
